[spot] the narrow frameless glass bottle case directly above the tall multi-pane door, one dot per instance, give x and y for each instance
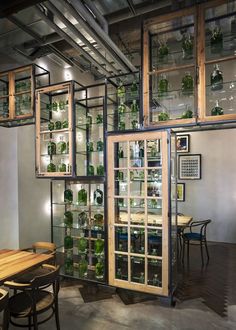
(123, 98)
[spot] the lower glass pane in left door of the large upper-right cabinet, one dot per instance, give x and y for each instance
(172, 95)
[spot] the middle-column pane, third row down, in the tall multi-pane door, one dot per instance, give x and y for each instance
(137, 211)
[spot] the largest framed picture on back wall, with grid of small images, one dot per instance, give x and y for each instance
(189, 167)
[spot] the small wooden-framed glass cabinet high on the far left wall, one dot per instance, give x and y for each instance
(17, 102)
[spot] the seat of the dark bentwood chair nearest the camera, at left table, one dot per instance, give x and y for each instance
(20, 304)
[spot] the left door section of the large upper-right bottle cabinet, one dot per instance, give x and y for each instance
(169, 66)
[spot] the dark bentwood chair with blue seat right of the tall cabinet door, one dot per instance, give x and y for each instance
(194, 237)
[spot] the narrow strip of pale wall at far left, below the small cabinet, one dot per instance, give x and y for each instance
(9, 220)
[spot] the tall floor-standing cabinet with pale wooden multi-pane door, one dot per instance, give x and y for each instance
(141, 211)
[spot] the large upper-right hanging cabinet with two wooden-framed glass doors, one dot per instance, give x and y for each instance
(189, 66)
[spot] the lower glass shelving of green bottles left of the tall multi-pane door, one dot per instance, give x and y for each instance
(78, 228)
